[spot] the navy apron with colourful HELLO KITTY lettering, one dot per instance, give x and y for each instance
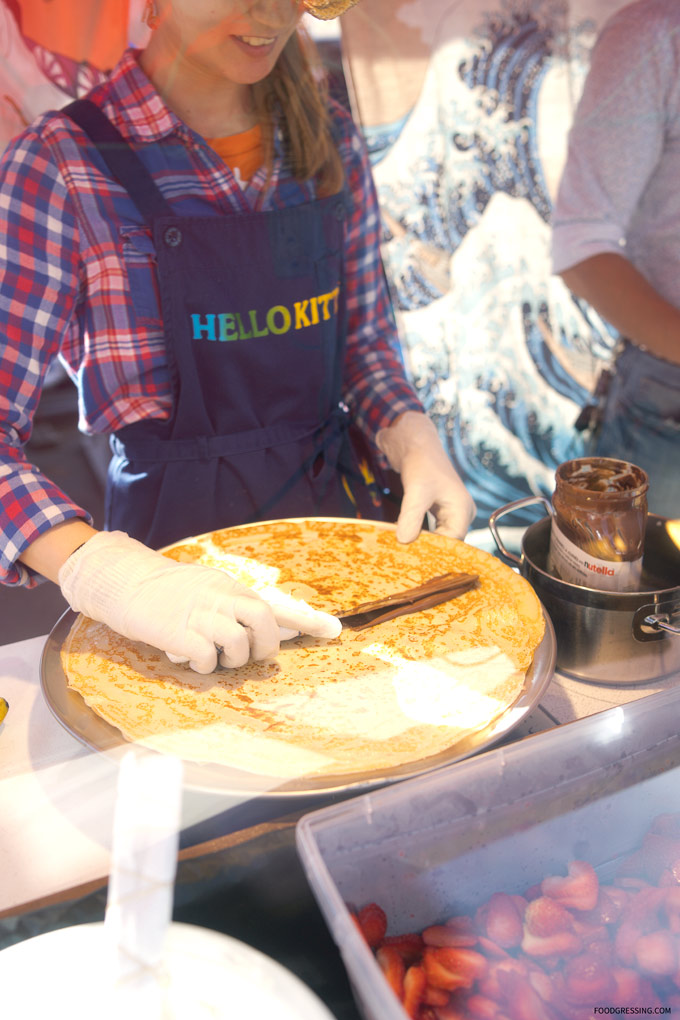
(254, 317)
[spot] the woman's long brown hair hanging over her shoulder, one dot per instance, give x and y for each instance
(295, 96)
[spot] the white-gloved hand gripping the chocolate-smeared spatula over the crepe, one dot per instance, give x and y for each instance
(187, 610)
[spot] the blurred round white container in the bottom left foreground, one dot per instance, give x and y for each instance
(204, 975)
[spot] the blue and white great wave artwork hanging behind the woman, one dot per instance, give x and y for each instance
(500, 352)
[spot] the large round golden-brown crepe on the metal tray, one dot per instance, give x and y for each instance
(369, 700)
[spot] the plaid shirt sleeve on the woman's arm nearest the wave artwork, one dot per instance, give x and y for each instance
(376, 384)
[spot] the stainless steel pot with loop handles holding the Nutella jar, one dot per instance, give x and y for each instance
(618, 638)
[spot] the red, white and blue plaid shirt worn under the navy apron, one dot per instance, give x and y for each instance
(78, 281)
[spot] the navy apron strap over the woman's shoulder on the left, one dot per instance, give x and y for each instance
(121, 159)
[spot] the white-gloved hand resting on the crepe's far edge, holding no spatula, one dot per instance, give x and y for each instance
(431, 483)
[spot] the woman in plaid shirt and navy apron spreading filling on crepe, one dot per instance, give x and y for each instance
(199, 243)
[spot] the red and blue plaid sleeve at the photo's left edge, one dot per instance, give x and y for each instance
(38, 289)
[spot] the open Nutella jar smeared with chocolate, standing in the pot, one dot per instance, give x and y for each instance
(600, 517)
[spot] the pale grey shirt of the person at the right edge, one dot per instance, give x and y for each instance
(619, 192)
